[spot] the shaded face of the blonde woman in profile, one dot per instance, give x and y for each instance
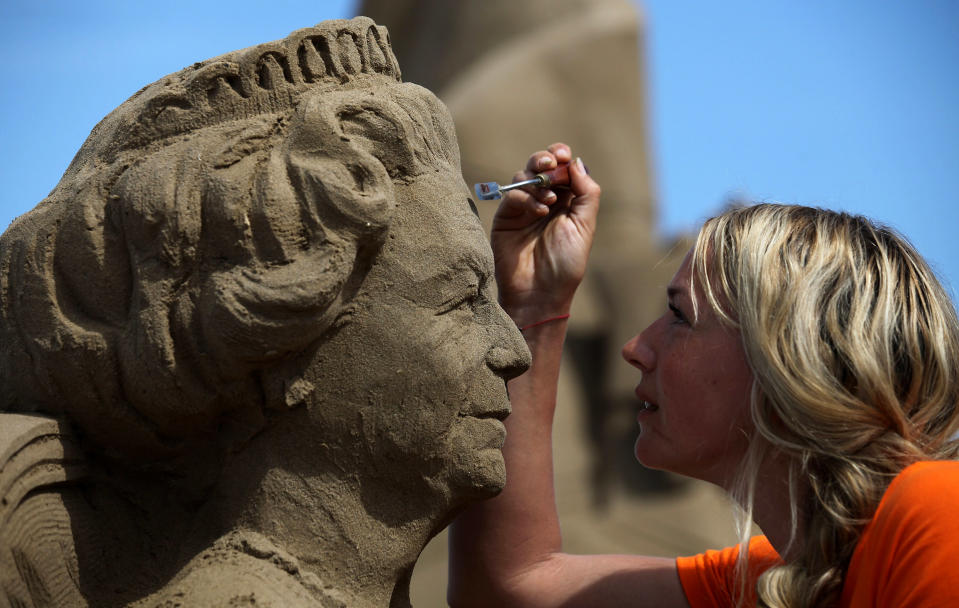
(695, 389)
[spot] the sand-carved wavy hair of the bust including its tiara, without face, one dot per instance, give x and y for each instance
(211, 228)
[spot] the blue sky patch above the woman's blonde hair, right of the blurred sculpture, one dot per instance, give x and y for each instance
(850, 105)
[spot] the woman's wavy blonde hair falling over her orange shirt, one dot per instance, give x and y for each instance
(853, 344)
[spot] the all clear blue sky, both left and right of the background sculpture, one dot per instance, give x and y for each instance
(849, 105)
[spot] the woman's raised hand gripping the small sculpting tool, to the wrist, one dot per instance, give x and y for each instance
(541, 239)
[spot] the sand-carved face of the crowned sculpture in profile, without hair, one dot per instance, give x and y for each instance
(420, 368)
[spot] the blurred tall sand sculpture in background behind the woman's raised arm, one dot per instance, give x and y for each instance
(516, 76)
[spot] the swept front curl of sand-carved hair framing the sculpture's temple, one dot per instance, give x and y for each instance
(339, 163)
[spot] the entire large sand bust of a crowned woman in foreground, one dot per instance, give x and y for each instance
(249, 351)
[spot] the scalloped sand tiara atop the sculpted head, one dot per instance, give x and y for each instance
(261, 79)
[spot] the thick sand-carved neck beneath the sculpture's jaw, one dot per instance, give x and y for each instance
(359, 538)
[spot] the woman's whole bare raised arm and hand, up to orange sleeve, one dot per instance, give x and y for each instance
(508, 551)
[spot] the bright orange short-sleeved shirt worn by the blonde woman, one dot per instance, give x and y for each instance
(908, 554)
